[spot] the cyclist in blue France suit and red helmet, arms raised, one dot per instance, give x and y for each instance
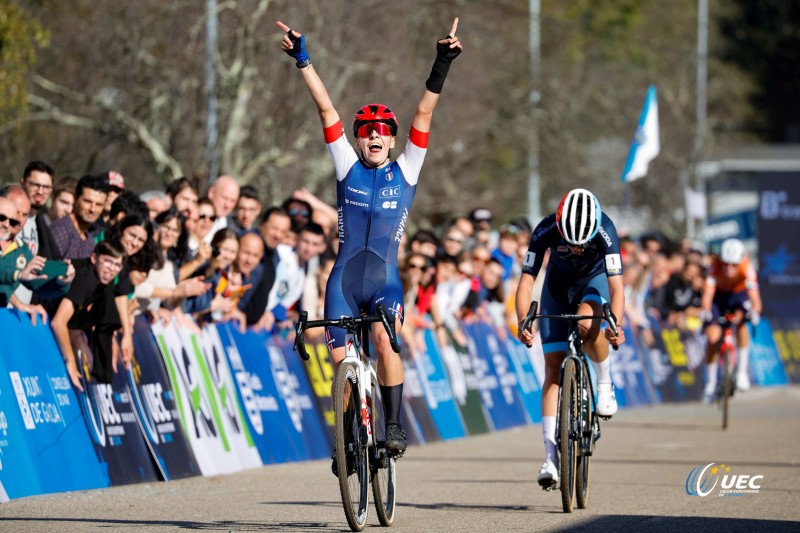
(374, 196)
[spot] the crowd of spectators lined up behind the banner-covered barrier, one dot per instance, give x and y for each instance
(88, 255)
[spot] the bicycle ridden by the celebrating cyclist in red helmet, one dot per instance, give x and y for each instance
(361, 458)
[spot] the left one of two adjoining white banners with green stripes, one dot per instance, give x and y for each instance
(198, 409)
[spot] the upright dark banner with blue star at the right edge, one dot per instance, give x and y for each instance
(778, 244)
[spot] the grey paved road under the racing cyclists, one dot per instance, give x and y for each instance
(486, 483)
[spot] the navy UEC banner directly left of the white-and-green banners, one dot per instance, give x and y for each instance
(156, 409)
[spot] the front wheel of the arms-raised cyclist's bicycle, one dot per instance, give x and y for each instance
(351, 447)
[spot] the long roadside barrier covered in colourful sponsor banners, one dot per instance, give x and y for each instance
(214, 401)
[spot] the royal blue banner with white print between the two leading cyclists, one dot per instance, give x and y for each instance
(497, 381)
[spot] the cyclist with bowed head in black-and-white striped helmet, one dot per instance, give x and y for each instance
(584, 272)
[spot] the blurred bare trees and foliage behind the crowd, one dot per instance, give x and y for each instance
(120, 85)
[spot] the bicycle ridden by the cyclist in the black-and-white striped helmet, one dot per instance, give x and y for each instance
(577, 423)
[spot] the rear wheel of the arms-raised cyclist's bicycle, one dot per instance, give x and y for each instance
(382, 466)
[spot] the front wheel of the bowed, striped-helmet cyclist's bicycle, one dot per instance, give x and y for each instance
(568, 445)
